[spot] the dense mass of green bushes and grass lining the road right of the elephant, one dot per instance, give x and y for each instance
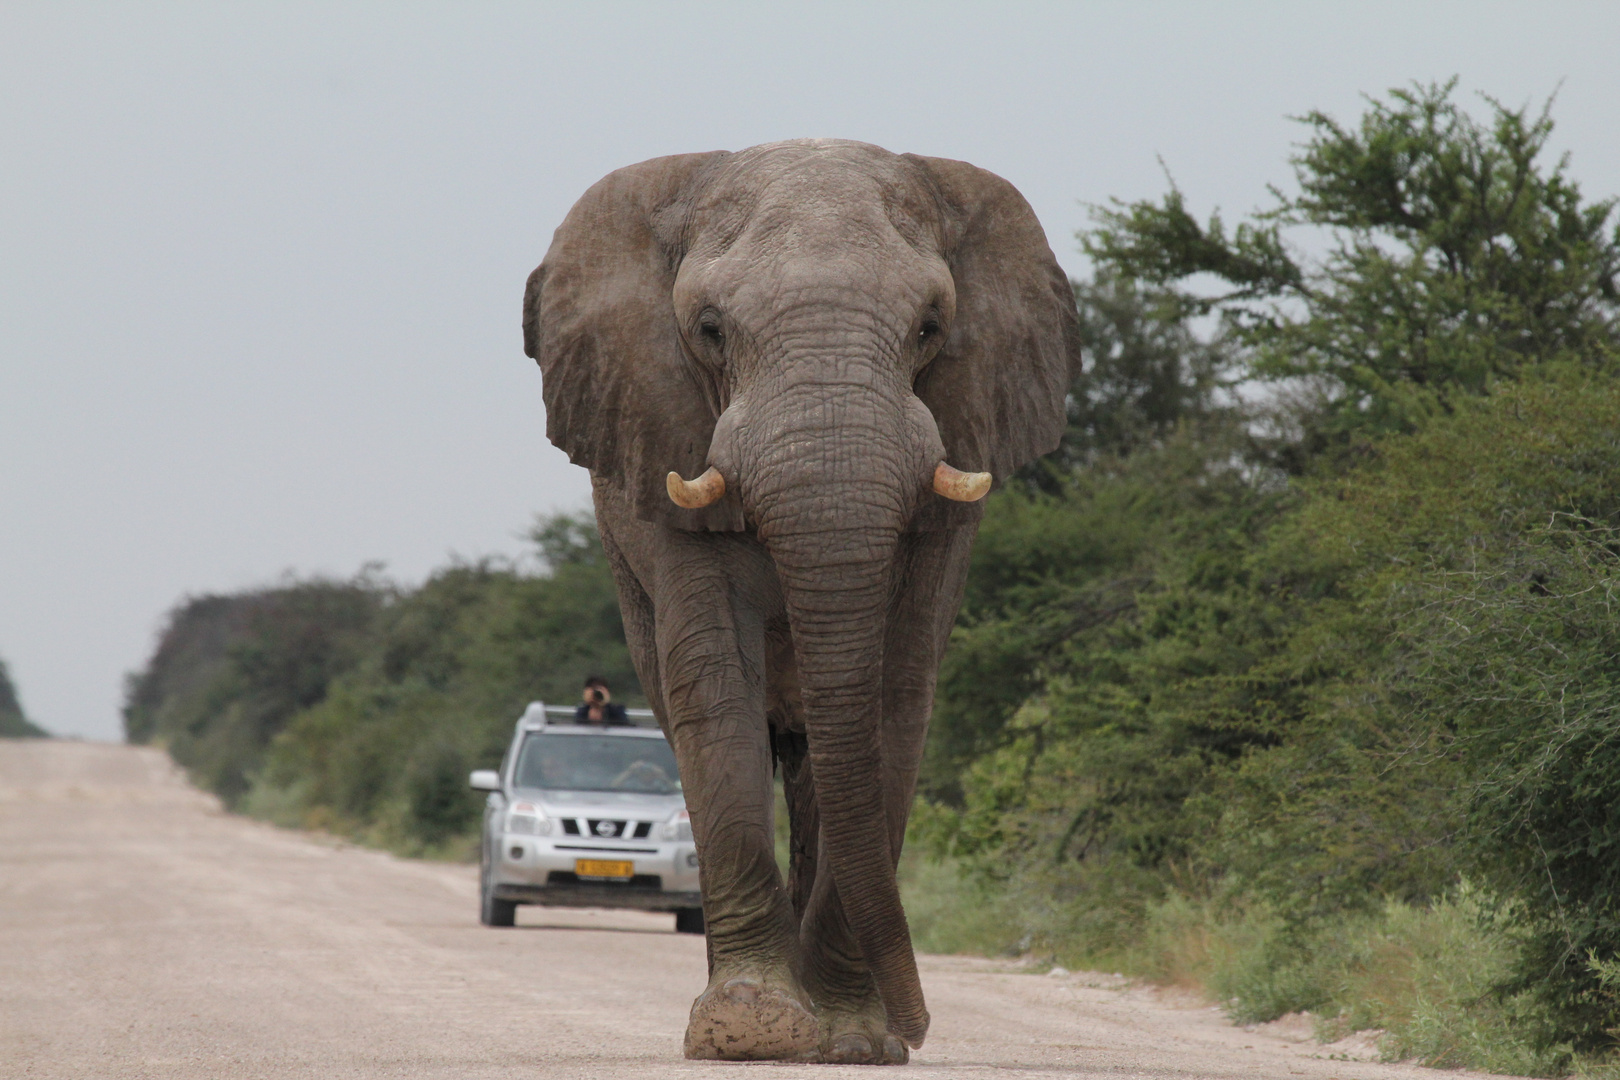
(1392, 681)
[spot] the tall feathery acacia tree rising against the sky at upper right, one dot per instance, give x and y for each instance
(1454, 258)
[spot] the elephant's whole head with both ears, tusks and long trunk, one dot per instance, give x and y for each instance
(837, 342)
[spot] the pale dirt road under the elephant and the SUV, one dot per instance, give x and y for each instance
(145, 933)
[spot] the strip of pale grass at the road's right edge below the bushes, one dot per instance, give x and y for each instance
(1422, 977)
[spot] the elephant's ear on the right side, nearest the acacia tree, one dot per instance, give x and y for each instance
(999, 386)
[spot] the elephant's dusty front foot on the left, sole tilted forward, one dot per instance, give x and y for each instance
(744, 1019)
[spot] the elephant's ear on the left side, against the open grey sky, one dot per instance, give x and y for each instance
(623, 399)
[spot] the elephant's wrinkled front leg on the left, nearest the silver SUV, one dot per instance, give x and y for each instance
(756, 1006)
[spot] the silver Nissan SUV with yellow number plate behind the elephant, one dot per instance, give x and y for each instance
(587, 817)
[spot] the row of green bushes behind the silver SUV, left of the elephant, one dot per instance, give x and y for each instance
(360, 707)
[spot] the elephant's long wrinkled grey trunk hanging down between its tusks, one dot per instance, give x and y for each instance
(832, 524)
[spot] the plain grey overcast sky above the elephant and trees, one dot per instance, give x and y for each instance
(262, 265)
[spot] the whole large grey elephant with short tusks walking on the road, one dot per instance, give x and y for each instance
(845, 349)
